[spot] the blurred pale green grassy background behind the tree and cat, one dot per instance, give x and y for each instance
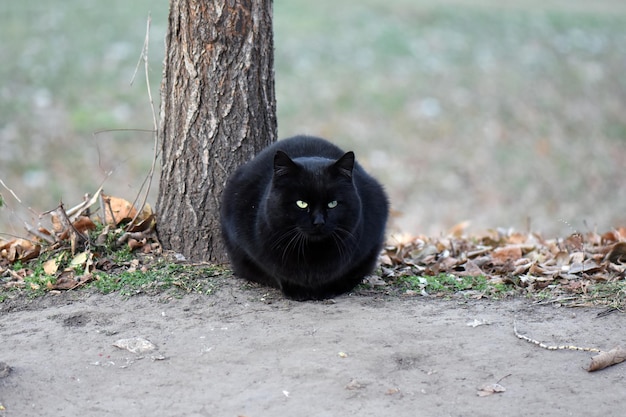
(505, 114)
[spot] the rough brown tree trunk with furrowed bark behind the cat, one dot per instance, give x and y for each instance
(218, 109)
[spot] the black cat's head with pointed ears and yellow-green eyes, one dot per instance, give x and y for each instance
(313, 197)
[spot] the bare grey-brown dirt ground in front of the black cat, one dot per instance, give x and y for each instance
(247, 352)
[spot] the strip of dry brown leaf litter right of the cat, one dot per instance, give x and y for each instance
(579, 270)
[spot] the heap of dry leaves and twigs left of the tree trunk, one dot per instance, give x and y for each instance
(72, 244)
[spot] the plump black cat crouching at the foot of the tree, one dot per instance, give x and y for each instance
(304, 217)
